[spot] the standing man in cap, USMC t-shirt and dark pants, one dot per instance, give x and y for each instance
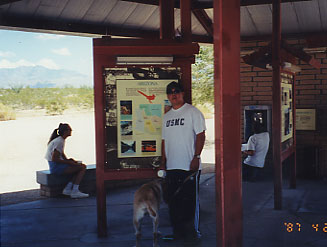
(183, 137)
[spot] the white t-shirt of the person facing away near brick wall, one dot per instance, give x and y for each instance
(260, 144)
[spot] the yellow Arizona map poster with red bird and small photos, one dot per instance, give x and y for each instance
(141, 105)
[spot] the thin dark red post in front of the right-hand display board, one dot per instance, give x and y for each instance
(276, 107)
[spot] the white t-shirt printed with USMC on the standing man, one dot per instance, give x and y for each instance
(179, 130)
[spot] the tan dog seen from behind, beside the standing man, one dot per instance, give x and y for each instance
(147, 200)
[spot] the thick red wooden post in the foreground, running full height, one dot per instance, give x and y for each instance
(227, 123)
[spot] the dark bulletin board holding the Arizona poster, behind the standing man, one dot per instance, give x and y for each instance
(136, 101)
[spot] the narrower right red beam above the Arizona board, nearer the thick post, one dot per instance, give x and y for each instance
(186, 24)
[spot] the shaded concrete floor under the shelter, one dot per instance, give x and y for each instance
(60, 222)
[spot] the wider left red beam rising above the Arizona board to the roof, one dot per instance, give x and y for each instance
(167, 28)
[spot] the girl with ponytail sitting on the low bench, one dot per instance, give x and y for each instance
(60, 164)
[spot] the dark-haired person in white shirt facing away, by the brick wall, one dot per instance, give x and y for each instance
(256, 151)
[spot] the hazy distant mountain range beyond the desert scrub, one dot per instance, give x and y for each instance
(41, 77)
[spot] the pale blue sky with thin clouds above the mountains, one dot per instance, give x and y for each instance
(49, 50)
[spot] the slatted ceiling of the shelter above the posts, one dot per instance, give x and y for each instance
(140, 18)
